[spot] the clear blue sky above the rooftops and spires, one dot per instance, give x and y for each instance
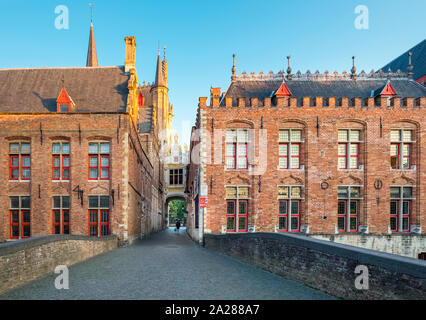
(202, 35)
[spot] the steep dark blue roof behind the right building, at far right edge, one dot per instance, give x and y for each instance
(418, 60)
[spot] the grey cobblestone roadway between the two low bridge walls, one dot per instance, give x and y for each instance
(166, 266)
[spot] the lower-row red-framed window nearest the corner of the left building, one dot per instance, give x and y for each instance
(99, 216)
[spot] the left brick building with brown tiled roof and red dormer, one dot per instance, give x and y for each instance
(72, 159)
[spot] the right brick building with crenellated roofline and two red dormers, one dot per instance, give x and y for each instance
(331, 154)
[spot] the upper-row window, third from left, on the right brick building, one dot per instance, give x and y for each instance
(348, 148)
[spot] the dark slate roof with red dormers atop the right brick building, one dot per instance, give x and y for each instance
(323, 88)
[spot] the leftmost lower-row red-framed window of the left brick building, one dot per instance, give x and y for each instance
(20, 217)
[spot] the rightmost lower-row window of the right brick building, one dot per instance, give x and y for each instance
(400, 208)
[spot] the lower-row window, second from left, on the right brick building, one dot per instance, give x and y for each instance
(289, 201)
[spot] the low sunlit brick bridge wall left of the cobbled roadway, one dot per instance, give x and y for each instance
(29, 259)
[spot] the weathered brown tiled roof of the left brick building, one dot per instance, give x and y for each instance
(98, 89)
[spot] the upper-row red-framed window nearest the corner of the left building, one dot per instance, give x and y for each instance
(99, 161)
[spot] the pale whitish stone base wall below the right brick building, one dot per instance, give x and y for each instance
(409, 245)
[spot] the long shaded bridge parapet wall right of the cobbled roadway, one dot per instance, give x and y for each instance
(326, 266)
